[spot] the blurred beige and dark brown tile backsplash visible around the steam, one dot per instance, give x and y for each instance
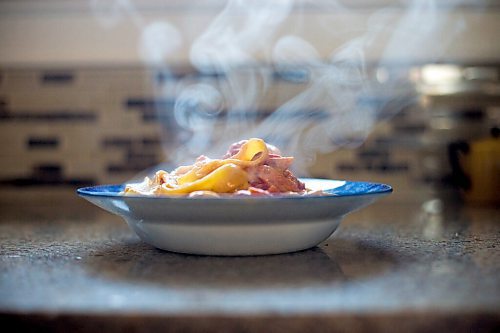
(79, 126)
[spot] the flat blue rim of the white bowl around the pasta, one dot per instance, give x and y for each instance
(348, 189)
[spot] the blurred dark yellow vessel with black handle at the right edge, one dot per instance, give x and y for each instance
(476, 168)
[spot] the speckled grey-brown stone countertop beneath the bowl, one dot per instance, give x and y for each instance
(66, 265)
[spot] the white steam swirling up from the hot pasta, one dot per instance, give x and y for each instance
(252, 47)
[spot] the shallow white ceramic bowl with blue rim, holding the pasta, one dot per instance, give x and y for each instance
(238, 225)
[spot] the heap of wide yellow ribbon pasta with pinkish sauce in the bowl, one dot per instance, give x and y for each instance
(249, 168)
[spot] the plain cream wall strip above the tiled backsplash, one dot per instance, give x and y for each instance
(79, 32)
